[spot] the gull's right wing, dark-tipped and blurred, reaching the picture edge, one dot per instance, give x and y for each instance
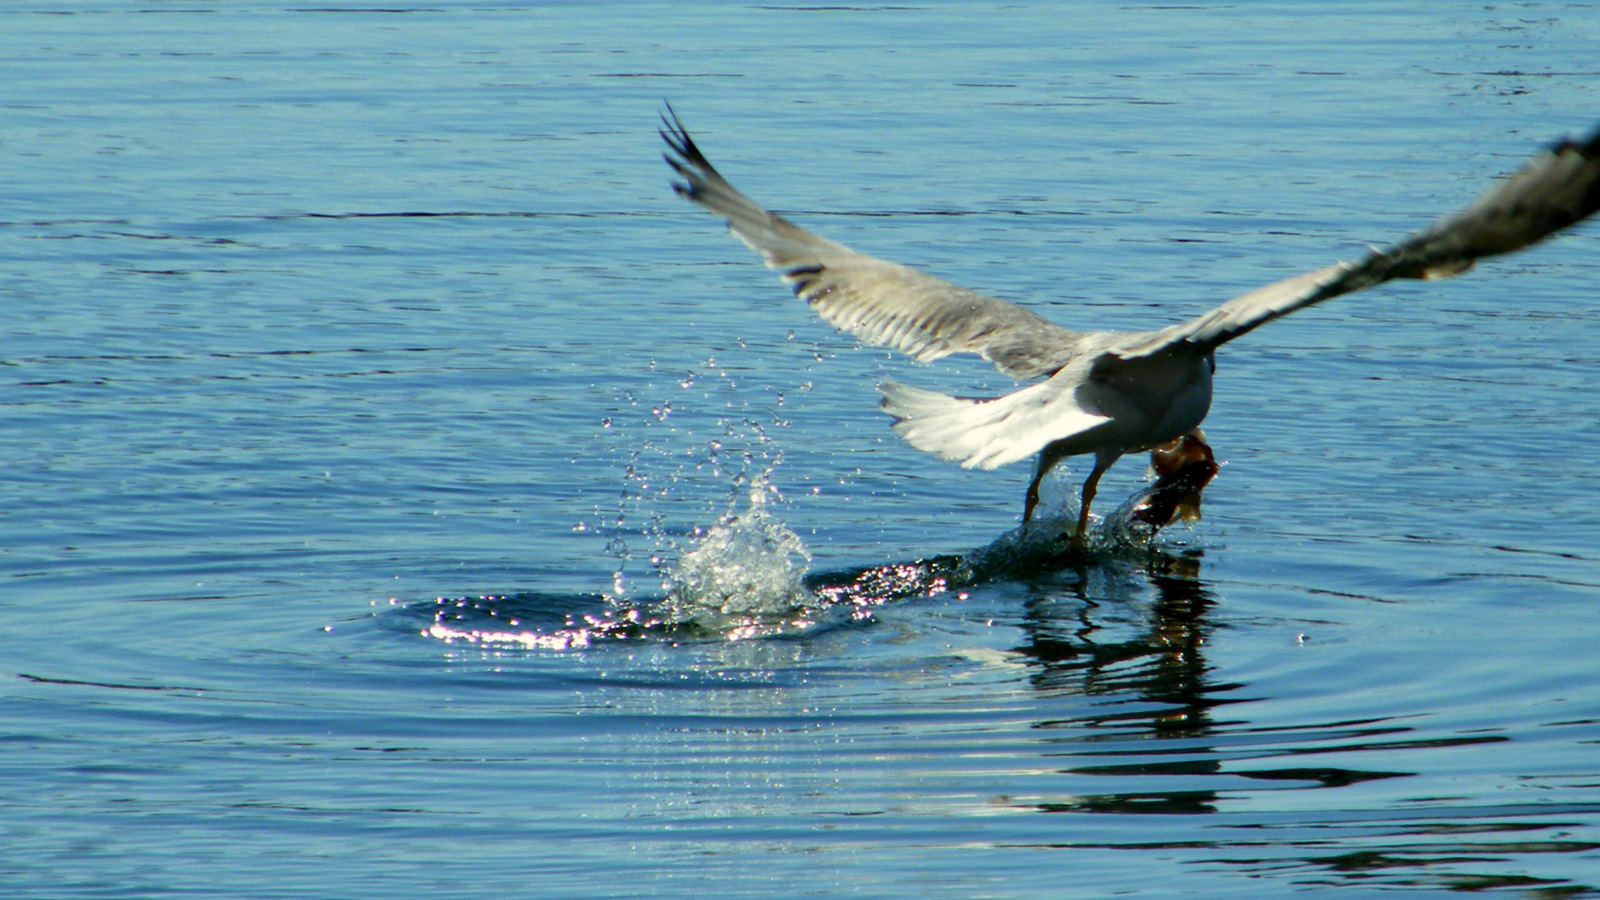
(1558, 190)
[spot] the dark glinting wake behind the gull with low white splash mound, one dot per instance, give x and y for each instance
(748, 577)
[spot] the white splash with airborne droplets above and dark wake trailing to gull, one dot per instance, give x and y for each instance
(746, 576)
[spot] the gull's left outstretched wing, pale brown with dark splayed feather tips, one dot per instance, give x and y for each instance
(879, 302)
